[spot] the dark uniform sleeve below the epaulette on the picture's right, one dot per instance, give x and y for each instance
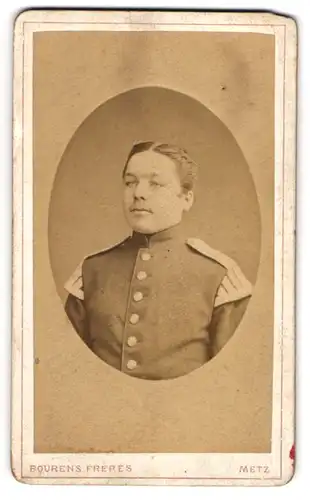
(225, 319)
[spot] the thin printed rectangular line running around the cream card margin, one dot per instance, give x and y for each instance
(238, 478)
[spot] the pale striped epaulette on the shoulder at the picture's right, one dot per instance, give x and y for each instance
(234, 285)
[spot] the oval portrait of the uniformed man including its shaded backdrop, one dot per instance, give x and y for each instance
(154, 233)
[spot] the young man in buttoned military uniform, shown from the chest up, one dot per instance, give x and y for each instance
(159, 304)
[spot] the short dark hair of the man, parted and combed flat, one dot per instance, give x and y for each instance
(187, 168)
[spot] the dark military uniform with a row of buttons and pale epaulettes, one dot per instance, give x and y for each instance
(157, 307)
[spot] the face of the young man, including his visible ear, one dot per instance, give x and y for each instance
(153, 197)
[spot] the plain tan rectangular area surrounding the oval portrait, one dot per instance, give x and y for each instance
(80, 403)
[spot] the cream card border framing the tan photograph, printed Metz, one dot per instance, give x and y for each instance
(202, 469)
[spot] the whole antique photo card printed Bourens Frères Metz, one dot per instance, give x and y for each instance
(153, 248)
